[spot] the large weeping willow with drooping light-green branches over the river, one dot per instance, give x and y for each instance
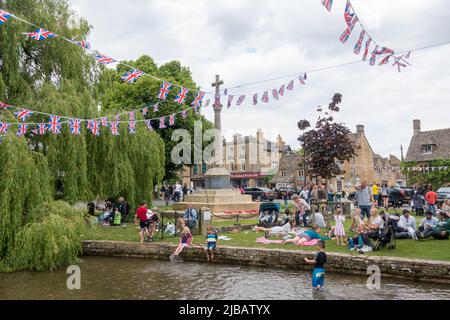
(56, 77)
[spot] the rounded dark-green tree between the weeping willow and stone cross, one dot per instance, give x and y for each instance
(116, 96)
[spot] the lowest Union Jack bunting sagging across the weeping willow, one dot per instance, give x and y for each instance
(55, 122)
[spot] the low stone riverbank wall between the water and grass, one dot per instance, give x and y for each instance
(410, 269)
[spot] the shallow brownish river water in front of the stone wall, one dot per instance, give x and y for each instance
(113, 278)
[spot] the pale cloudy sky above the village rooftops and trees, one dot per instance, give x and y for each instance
(249, 40)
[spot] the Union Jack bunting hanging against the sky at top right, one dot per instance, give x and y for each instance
(351, 20)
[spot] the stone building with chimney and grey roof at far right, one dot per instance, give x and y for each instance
(428, 146)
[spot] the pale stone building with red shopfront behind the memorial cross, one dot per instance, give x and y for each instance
(251, 160)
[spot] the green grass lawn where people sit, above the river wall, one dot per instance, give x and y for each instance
(425, 249)
